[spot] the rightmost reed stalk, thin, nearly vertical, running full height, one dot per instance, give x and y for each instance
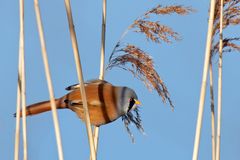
(219, 82)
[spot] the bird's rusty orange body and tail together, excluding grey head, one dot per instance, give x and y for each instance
(101, 99)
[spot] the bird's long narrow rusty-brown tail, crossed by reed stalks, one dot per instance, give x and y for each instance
(42, 107)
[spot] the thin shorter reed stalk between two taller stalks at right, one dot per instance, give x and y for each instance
(212, 111)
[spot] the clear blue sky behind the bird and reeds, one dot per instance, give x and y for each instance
(170, 135)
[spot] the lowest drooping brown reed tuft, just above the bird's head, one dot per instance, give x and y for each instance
(141, 67)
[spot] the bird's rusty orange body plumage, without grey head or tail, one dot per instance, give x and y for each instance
(102, 103)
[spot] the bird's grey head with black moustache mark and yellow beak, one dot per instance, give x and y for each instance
(129, 99)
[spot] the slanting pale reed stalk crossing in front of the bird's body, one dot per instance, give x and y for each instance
(80, 78)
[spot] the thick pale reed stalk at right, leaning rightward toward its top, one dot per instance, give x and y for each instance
(204, 81)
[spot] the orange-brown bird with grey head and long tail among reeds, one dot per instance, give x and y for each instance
(106, 102)
